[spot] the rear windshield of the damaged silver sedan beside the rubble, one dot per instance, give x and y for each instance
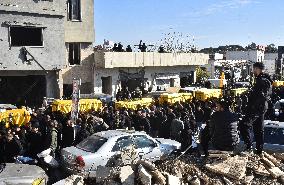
(92, 144)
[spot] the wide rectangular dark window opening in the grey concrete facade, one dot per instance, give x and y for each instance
(26, 36)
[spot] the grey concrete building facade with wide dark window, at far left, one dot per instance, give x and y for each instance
(32, 50)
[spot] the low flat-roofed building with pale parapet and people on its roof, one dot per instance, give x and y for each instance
(150, 70)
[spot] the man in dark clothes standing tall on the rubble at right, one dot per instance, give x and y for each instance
(256, 108)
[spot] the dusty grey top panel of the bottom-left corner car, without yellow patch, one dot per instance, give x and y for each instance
(23, 172)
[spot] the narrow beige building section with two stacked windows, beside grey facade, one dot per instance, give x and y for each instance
(79, 53)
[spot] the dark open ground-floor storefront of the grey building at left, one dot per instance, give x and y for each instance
(28, 87)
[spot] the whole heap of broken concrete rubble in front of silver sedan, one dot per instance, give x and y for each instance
(220, 168)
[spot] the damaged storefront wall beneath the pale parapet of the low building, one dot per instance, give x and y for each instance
(150, 79)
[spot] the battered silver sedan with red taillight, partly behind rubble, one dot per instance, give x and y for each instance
(84, 158)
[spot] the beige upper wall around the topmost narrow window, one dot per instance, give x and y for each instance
(81, 31)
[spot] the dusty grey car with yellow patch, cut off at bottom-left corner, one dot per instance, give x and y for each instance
(23, 174)
